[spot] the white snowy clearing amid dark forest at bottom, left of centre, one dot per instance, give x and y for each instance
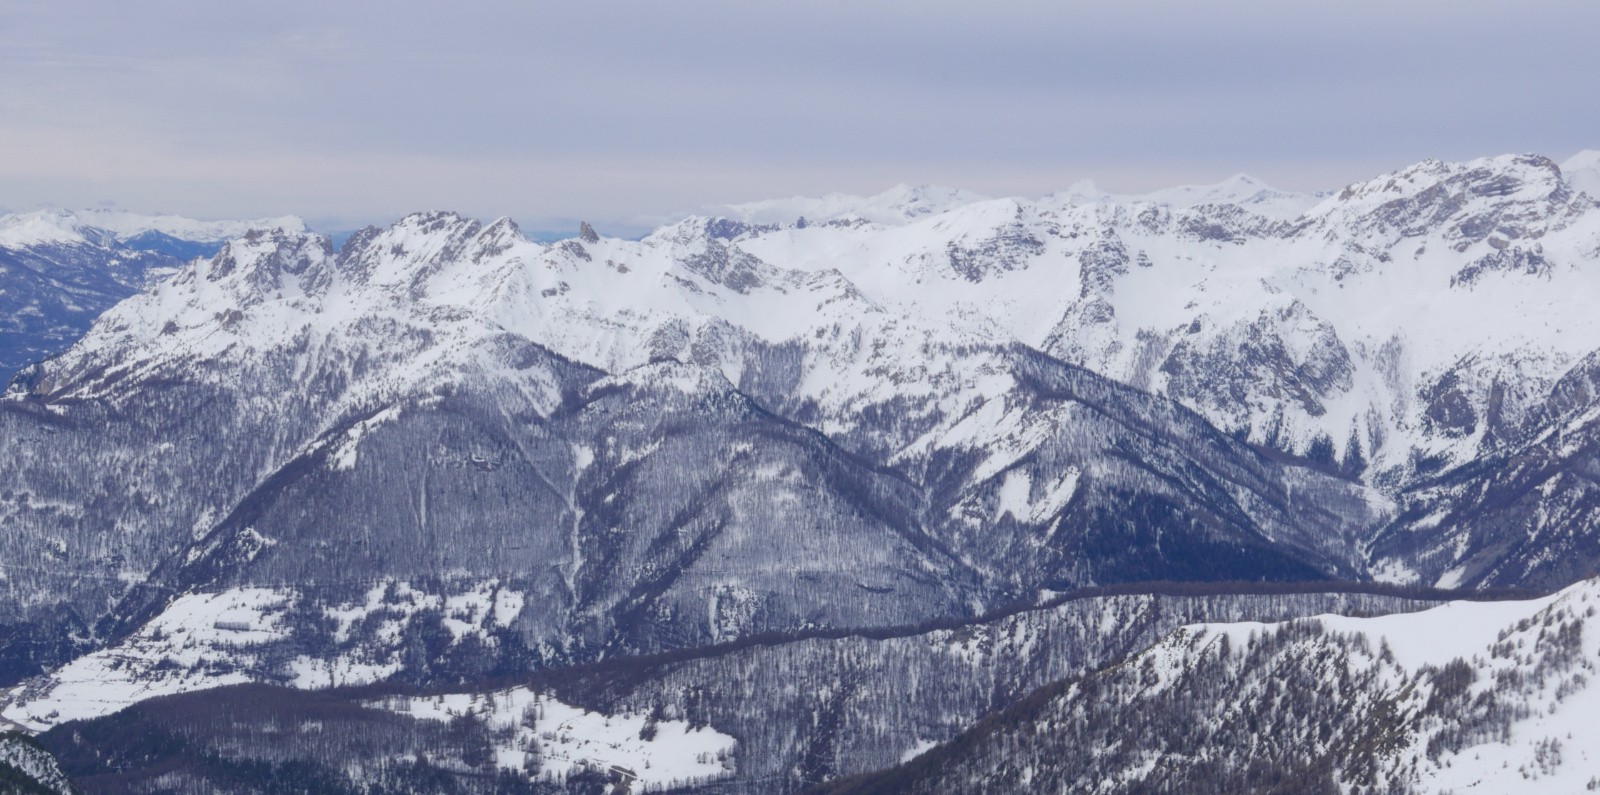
(569, 738)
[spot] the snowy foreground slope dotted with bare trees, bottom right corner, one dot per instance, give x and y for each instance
(1463, 698)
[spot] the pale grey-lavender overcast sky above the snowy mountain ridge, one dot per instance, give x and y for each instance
(633, 113)
